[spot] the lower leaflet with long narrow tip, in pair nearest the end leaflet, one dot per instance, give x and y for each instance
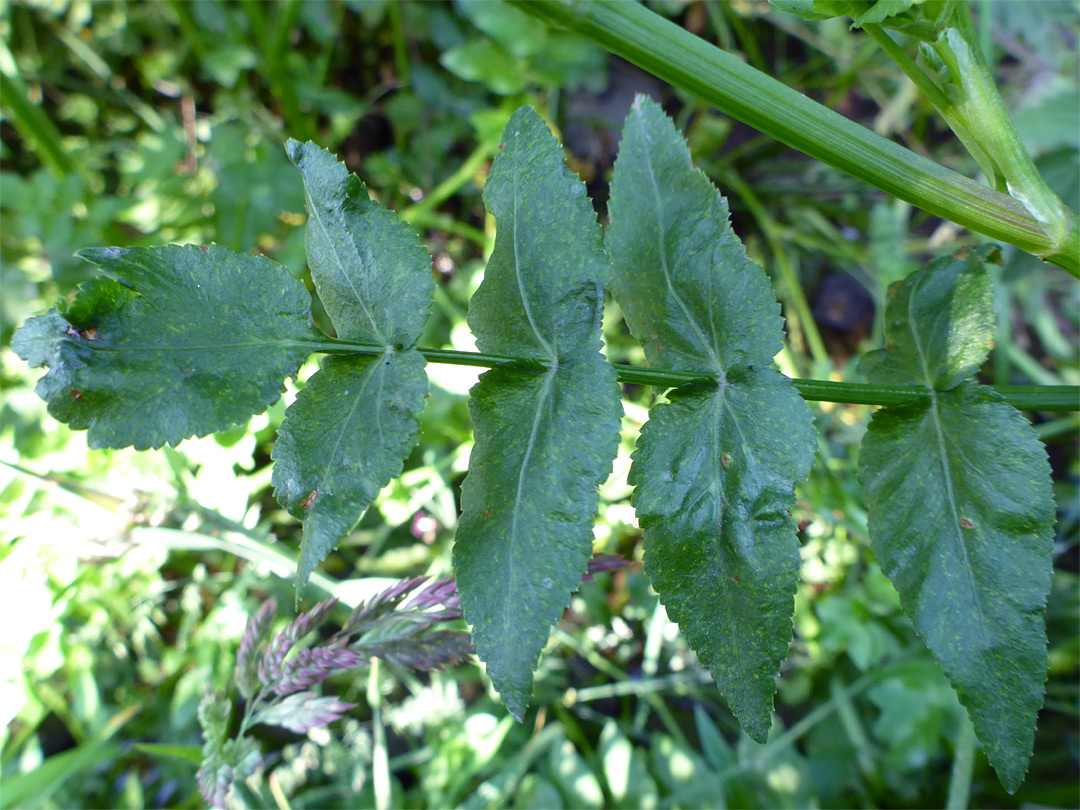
(346, 438)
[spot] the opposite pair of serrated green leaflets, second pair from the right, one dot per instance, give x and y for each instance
(715, 471)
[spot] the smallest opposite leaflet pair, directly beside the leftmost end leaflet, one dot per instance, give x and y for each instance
(349, 431)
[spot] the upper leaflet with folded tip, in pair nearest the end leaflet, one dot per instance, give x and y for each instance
(372, 273)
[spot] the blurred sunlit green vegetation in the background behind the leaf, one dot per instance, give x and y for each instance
(127, 578)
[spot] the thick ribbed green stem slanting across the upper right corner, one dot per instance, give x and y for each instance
(680, 58)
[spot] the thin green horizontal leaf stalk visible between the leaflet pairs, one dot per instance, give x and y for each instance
(1023, 398)
